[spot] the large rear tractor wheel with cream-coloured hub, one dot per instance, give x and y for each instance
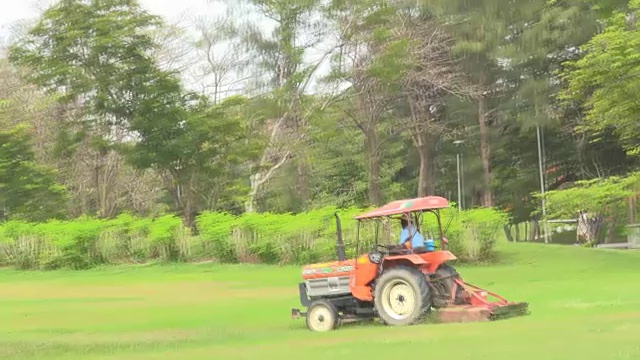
(402, 296)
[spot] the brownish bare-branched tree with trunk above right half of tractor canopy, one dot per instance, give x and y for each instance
(431, 76)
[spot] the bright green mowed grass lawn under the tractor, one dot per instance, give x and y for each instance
(585, 305)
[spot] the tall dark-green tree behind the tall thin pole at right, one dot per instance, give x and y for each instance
(541, 36)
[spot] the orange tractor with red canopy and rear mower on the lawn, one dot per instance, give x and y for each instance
(398, 284)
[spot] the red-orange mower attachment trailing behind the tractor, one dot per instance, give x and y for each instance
(477, 307)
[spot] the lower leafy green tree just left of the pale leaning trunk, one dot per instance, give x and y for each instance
(196, 146)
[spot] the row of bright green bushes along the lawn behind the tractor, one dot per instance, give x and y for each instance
(251, 238)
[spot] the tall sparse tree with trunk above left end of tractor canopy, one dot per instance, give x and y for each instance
(369, 68)
